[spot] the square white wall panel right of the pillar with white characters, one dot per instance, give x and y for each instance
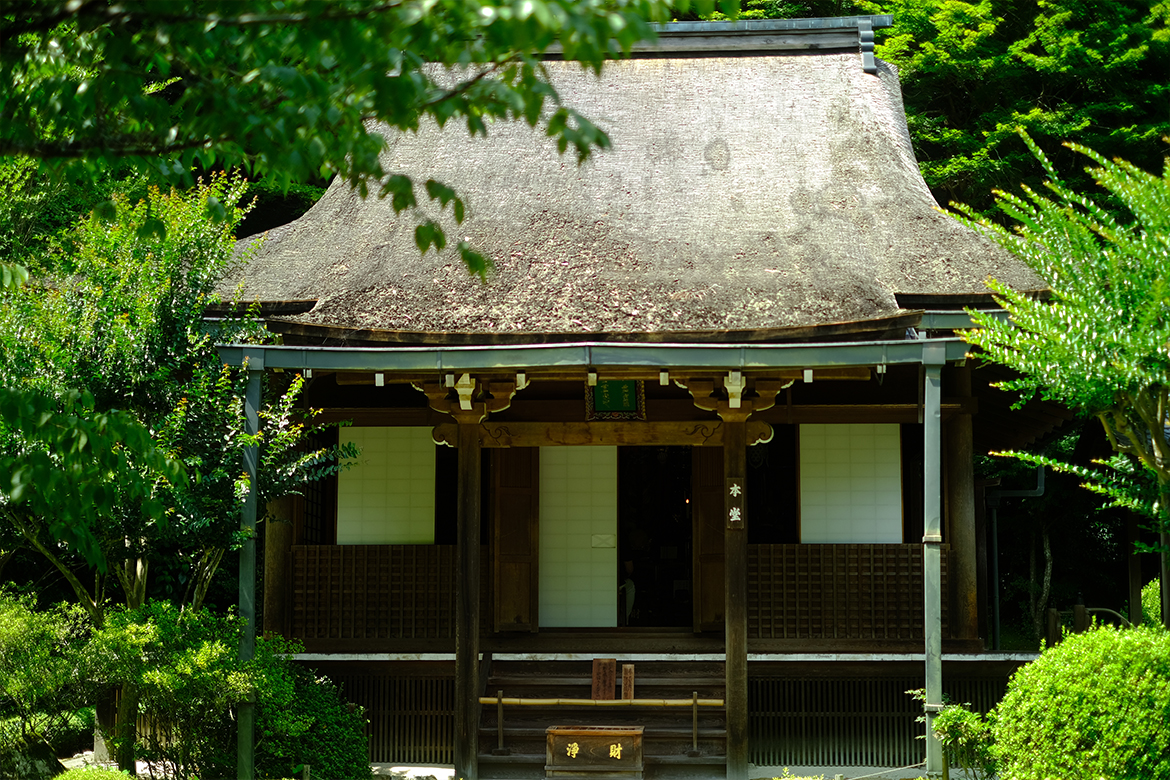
(851, 484)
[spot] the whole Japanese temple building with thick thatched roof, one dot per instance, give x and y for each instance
(707, 417)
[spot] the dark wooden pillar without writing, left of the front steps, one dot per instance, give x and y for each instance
(467, 603)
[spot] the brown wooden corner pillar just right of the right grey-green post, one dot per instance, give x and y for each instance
(961, 505)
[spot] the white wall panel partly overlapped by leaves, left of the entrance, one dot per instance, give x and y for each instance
(389, 495)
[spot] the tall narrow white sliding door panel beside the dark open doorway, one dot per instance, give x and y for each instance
(579, 536)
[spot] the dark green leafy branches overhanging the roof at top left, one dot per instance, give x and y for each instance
(288, 91)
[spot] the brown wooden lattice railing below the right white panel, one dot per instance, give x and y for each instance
(838, 592)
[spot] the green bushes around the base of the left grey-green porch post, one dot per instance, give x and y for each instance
(185, 671)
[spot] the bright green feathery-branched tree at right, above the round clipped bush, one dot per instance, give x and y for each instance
(1098, 342)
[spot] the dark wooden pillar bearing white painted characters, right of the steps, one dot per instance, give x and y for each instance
(735, 593)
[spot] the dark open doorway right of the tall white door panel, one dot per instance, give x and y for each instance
(655, 537)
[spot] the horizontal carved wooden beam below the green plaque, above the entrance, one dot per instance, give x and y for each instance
(605, 434)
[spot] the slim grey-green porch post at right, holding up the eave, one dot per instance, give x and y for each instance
(932, 555)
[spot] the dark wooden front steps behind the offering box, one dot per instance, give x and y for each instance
(669, 738)
